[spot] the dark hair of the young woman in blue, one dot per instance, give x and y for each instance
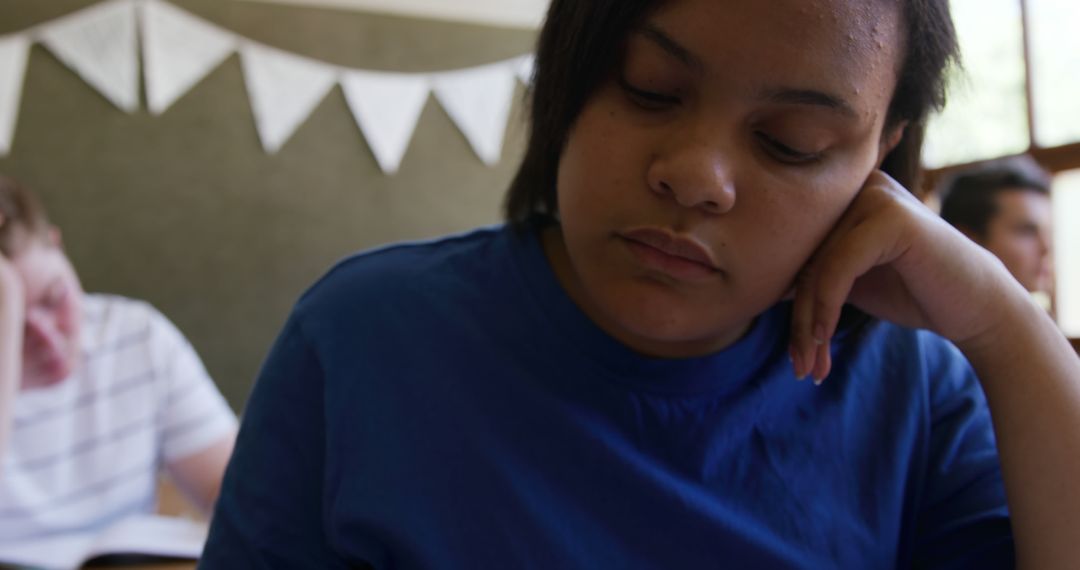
(583, 40)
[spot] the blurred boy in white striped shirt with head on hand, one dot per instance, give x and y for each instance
(99, 395)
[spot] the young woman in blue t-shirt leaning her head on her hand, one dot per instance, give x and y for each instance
(610, 382)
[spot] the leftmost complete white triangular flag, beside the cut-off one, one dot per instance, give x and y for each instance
(100, 45)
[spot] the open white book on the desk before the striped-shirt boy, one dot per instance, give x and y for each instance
(148, 535)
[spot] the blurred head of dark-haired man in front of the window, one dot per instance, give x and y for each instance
(1005, 207)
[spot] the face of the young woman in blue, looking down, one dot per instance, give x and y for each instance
(703, 175)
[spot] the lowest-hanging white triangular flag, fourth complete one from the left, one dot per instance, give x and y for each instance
(387, 107)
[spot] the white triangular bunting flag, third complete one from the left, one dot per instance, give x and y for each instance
(285, 90)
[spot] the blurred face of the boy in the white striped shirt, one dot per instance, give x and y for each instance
(53, 315)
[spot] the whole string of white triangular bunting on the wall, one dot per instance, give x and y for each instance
(103, 45)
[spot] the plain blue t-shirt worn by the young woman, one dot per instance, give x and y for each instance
(447, 406)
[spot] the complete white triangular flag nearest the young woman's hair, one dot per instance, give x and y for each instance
(479, 101)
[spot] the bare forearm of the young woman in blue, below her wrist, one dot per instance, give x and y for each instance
(1032, 379)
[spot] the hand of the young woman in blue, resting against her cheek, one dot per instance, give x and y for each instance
(896, 260)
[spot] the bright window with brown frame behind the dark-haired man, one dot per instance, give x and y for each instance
(1020, 92)
